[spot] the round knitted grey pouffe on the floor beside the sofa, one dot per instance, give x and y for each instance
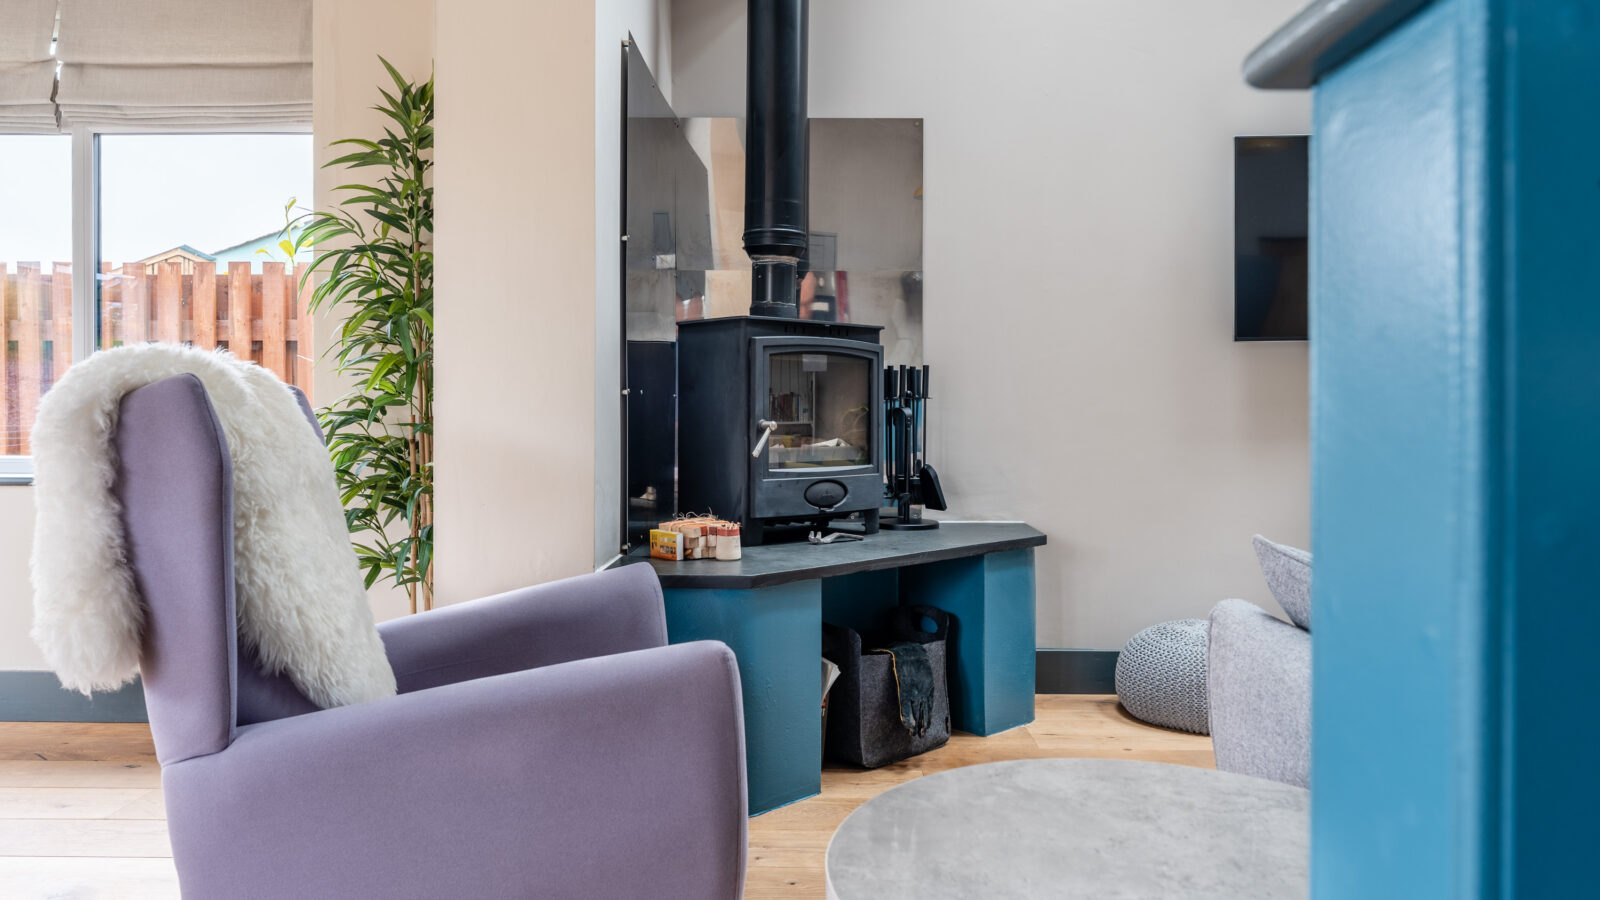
(1161, 675)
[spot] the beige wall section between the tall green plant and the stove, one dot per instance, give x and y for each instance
(514, 295)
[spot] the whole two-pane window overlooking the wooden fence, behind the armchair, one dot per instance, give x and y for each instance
(185, 241)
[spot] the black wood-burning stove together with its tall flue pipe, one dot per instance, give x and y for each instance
(780, 419)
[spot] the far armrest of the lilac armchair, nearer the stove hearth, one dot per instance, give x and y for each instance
(590, 616)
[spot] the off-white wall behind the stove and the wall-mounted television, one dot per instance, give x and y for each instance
(1079, 279)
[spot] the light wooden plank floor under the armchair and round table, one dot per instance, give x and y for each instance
(82, 818)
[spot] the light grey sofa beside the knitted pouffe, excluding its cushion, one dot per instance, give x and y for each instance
(1258, 681)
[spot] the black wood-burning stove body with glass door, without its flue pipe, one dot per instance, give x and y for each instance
(780, 422)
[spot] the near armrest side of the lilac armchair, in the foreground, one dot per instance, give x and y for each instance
(606, 777)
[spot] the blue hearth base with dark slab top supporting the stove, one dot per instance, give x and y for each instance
(777, 633)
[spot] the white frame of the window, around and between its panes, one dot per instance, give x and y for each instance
(17, 470)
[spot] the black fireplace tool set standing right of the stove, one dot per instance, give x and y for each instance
(911, 484)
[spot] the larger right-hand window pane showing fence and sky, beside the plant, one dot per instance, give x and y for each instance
(190, 246)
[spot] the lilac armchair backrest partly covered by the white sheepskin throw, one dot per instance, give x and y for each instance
(175, 483)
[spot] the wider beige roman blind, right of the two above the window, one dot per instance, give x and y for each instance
(185, 63)
